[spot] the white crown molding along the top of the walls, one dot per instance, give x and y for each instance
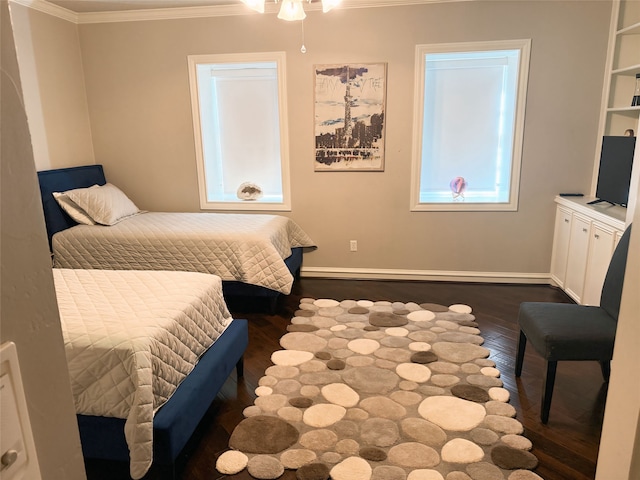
(195, 12)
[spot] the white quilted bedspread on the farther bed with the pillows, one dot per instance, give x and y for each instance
(245, 248)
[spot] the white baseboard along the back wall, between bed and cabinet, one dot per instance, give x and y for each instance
(425, 275)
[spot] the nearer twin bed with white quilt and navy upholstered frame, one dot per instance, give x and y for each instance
(147, 353)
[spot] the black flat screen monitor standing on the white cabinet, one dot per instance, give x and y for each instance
(614, 175)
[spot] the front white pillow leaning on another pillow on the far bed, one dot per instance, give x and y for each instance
(106, 204)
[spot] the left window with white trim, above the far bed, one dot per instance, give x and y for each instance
(239, 110)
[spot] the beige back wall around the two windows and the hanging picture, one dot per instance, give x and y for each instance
(138, 94)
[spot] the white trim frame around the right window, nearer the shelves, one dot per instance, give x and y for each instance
(524, 45)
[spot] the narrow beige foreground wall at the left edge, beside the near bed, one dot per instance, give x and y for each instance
(29, 313)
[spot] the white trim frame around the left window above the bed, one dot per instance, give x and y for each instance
(280, 59)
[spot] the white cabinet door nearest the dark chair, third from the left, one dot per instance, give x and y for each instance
(600, 252)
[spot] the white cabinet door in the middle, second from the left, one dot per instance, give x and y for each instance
(577, 257)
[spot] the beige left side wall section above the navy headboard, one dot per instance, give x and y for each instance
(56, 105)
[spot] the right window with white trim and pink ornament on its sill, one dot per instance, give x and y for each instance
(468, 120)
